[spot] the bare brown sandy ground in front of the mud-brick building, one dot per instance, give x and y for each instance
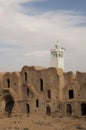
(42, 122)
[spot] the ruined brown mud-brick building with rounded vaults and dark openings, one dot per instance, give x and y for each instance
(46, 90)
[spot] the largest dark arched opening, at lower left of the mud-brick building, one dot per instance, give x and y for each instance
(9, 103)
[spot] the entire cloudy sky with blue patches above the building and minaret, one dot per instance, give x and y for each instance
(30, 28)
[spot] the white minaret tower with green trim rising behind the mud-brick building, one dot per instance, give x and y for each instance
(57, 57)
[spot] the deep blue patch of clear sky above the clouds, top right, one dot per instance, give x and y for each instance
(50, 5)
